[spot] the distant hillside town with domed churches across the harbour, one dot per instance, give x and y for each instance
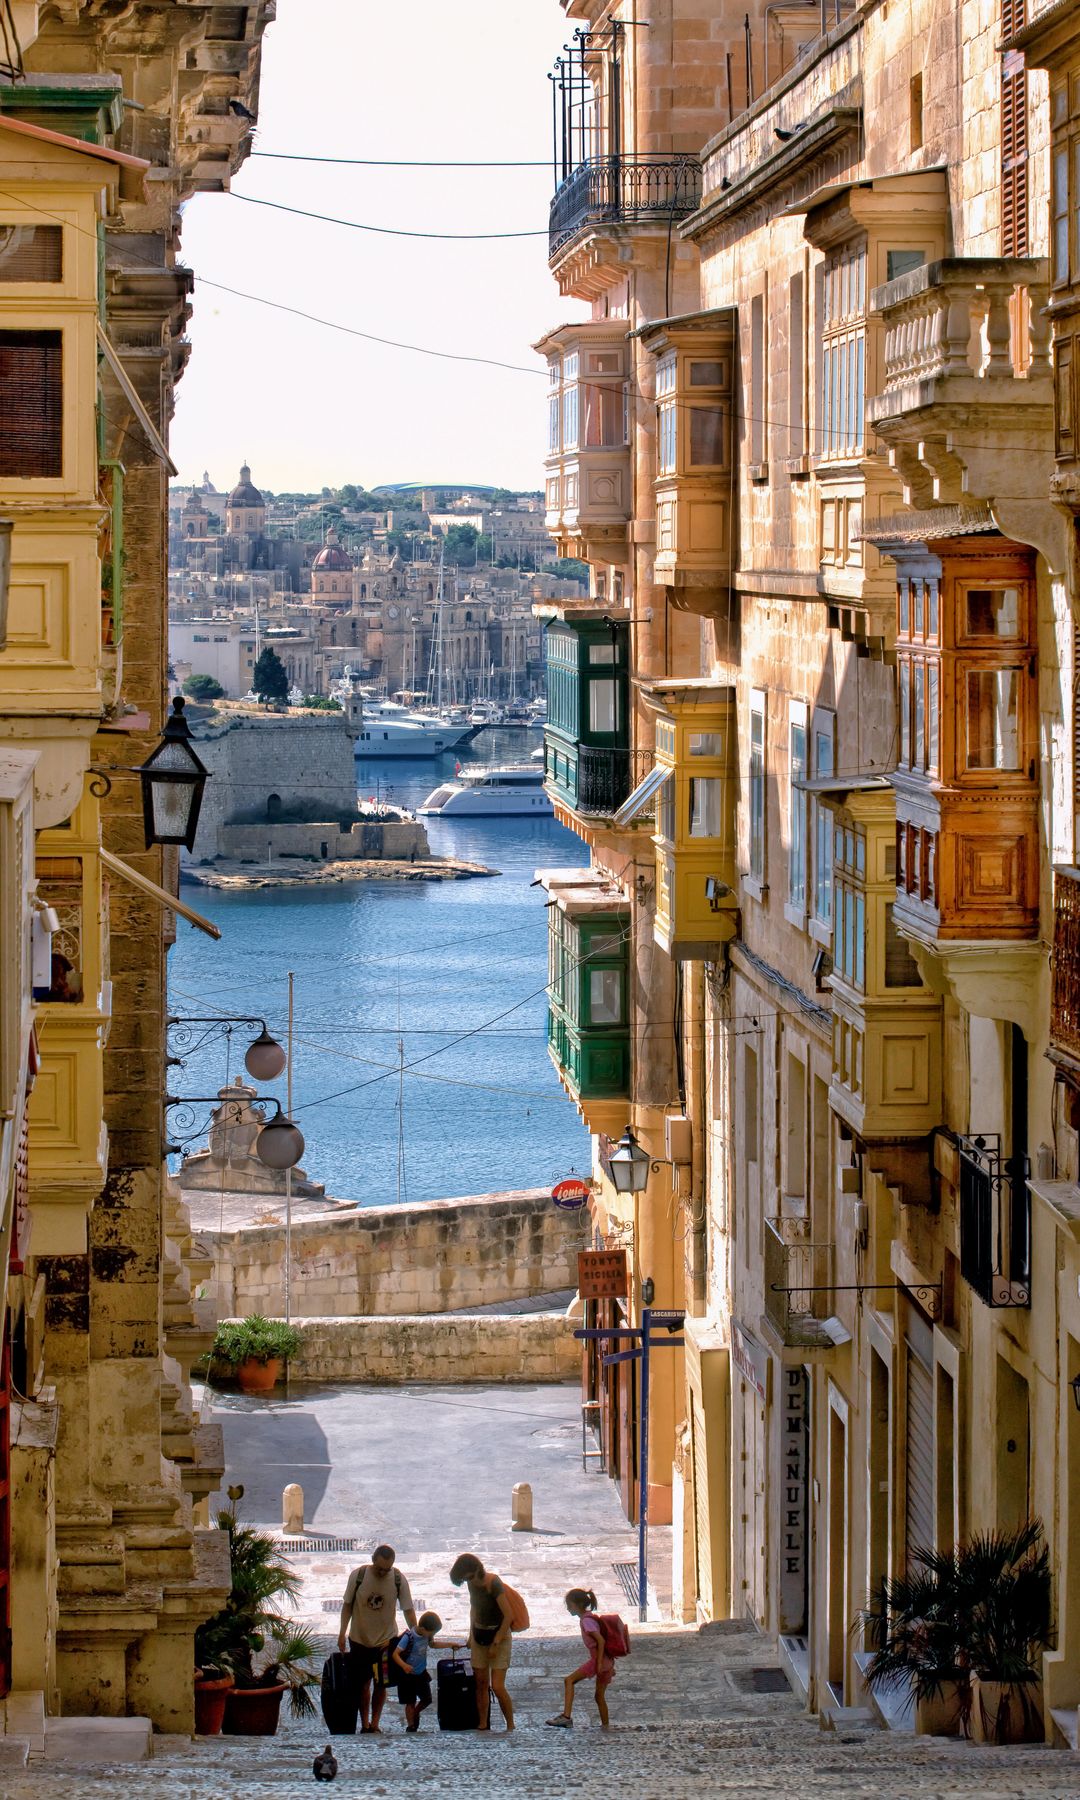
(350, 580)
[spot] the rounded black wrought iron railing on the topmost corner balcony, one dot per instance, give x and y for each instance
(624, 192)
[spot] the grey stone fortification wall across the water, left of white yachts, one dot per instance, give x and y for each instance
(276, 768)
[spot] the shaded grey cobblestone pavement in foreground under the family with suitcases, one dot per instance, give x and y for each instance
(688, 1720)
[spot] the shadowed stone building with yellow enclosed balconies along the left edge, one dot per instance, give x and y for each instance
(109, 1576)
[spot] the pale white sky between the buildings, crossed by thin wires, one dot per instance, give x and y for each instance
(307, 406)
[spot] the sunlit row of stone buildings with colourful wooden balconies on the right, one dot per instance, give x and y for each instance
(816, 724)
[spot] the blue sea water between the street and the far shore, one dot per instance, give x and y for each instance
(454, 971)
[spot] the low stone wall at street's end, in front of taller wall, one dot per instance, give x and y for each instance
(451, 1349)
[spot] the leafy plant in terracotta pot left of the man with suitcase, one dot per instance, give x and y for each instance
(251, 1644)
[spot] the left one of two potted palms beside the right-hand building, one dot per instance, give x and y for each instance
(912, 1626)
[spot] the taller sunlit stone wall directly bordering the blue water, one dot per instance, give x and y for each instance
(431, 1257)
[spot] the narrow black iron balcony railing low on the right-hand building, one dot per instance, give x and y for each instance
(994, 1223)
